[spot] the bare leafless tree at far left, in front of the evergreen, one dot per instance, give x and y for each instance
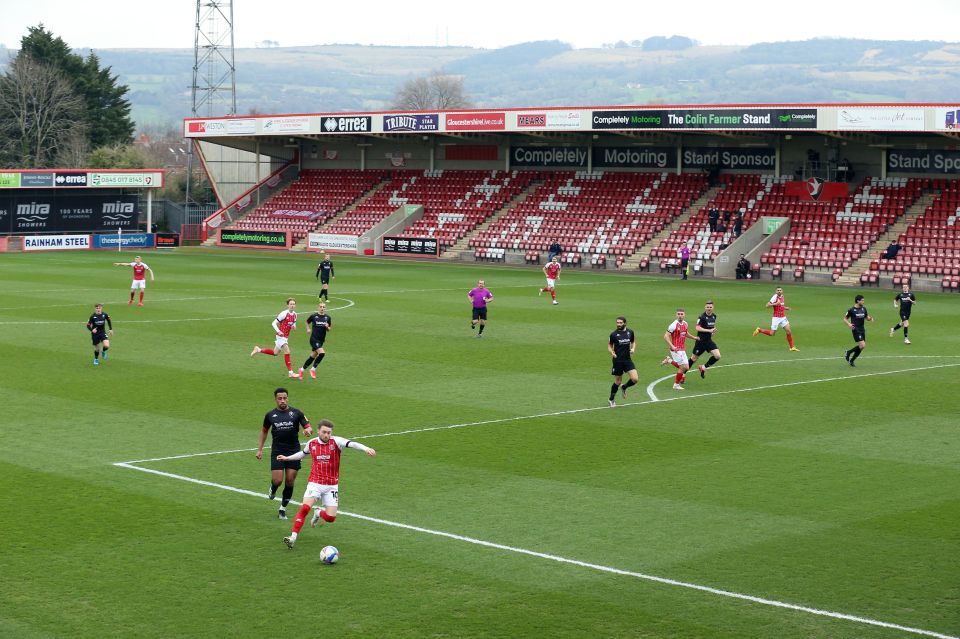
(40, 114)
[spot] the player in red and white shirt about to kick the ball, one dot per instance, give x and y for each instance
(323, 486)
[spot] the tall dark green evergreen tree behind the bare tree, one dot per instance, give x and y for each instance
(107, 111)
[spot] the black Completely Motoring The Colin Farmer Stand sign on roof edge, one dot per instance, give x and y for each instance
(718, 119)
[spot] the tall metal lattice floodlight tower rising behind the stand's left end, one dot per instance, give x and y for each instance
(214, 88)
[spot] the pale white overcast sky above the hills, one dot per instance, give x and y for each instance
(99, 24)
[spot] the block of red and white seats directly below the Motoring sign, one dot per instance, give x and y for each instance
(593, 215)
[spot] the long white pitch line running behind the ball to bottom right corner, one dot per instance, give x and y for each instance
(574, 562)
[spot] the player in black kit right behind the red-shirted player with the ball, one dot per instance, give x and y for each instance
(284, 422)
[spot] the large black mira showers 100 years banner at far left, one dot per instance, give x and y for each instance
(68, 213)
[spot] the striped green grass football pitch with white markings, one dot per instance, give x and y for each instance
(785, 495)
